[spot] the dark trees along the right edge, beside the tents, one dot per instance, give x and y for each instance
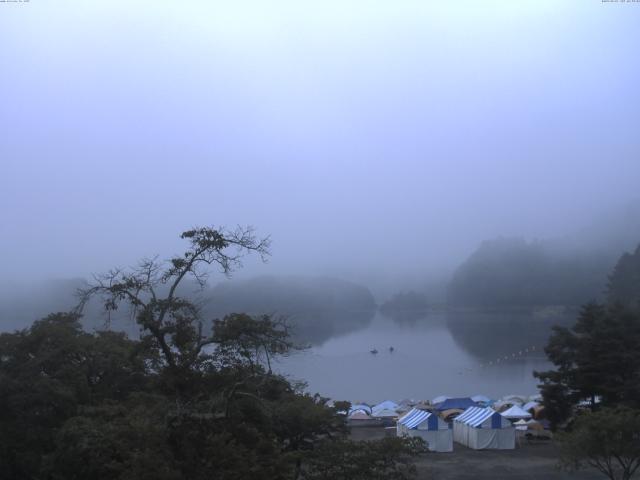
(594, 390)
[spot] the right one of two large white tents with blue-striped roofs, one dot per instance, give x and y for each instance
(482, 428)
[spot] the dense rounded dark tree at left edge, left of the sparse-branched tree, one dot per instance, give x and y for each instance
(47, 373)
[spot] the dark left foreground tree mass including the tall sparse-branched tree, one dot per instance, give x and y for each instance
(189, 399)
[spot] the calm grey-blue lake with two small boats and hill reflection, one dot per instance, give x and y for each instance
(453, 354)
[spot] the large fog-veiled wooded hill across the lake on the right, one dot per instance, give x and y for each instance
(570, 270)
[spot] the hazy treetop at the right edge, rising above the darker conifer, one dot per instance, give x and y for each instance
(624, 281)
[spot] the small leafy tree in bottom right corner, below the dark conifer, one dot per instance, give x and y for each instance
(607, 440)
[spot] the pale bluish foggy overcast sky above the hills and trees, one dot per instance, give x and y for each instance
(380, 136)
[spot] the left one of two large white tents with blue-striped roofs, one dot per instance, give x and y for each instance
(428, 426)
